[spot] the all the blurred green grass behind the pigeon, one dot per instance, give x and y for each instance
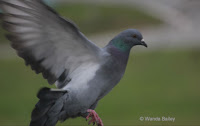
(160, 82)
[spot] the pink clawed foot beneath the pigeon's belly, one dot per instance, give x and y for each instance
(95, 118)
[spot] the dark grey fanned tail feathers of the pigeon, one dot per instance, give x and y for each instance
(50, 105)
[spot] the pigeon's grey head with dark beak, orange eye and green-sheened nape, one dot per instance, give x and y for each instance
(127, 39)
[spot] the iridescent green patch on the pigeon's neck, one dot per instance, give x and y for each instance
(121, 45)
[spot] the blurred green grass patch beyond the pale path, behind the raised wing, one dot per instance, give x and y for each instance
(100, 18)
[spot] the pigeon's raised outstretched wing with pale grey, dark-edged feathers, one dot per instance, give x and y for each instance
(48, 43)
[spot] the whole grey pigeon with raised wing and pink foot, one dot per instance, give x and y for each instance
(82, 72)
